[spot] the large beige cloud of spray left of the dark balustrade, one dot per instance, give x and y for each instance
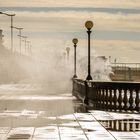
(52, 71)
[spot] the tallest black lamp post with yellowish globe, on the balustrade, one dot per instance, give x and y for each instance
(89, 25)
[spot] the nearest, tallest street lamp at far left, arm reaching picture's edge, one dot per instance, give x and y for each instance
(11, 15)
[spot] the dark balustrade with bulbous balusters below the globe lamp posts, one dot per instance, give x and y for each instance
(117, 96)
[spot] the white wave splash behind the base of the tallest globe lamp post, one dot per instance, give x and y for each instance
(100, 68)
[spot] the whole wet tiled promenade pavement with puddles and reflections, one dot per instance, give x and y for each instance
(34, 113)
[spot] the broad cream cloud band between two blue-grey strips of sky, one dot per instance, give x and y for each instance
(74, 21)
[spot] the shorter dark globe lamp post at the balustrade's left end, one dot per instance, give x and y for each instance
(75, 41)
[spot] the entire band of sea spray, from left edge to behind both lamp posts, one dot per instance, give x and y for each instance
(55, 68)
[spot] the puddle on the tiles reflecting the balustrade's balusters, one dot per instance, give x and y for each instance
(121, 125)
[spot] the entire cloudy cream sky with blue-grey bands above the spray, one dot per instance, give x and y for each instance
(52, 24)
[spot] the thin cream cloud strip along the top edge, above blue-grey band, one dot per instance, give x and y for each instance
(73, 3)
